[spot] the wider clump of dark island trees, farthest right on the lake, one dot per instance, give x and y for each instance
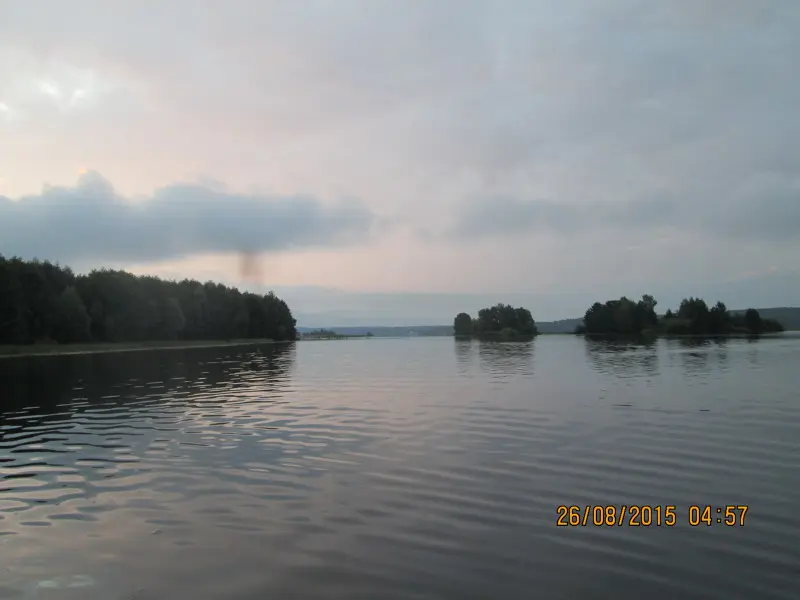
(693, 317)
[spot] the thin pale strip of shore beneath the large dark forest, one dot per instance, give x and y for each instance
(11, 351)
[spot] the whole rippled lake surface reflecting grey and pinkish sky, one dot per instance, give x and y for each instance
(406, 468)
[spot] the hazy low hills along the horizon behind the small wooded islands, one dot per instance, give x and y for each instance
(789, 317)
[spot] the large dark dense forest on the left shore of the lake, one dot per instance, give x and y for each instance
(43, 302)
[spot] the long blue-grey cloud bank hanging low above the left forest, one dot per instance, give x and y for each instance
(92, 222)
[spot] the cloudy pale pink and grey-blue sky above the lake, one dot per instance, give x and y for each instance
(397, 161)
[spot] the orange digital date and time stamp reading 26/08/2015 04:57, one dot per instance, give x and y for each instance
(649, 515)
